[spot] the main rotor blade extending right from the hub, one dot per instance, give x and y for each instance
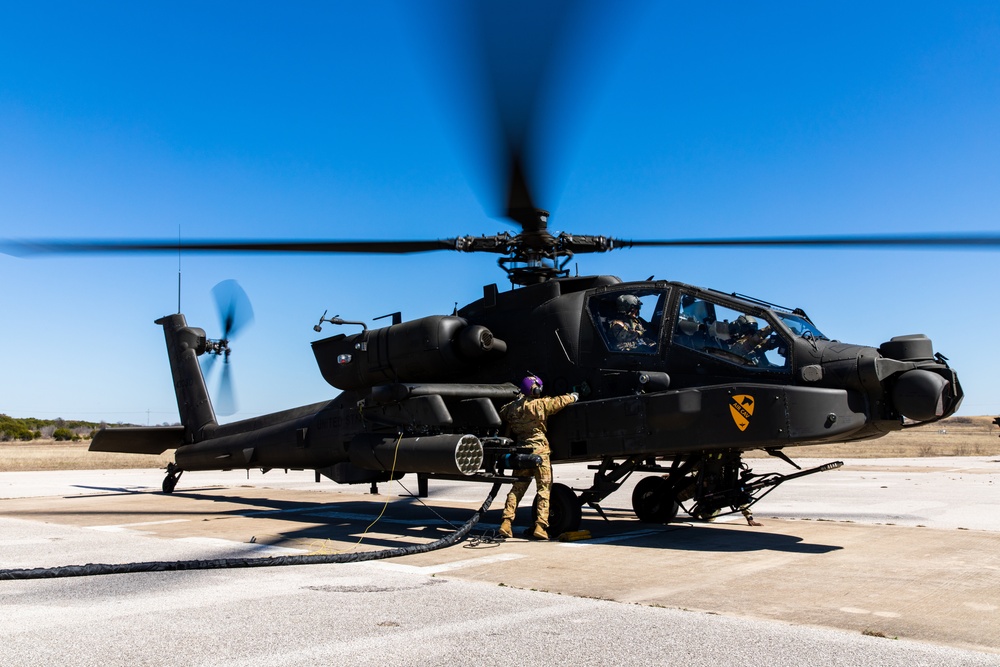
(969, 241)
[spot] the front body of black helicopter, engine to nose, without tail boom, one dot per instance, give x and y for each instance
(690, 386)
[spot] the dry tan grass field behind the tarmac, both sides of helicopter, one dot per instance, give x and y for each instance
(958, 436)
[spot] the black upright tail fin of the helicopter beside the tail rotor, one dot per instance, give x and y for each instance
(184, 345)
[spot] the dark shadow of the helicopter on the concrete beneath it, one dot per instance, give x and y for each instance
(388, 521)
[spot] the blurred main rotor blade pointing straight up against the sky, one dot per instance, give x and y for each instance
(521, 75)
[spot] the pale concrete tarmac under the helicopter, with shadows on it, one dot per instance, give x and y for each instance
(881, 562)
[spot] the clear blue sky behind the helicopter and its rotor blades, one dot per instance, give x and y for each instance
(347, 120)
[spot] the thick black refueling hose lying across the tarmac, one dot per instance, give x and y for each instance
(92, 569)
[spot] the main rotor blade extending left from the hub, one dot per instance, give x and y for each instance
(26, 248)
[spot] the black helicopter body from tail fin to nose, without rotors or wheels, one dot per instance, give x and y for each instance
(697, 371)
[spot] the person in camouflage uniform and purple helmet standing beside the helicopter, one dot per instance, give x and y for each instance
(527, 418)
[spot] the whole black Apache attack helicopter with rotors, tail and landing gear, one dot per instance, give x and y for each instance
(713, 376)
